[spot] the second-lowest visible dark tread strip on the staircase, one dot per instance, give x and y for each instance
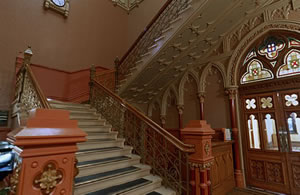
(122, 187)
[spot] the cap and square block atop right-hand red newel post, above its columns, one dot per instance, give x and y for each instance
(199, 134)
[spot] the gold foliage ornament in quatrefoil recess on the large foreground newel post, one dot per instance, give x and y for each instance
(48, 179)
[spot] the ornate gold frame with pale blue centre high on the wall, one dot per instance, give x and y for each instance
(61, 6)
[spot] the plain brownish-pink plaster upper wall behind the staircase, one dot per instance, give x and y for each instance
(94, 33)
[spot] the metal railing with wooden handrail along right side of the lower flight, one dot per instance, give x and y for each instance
(167, 155)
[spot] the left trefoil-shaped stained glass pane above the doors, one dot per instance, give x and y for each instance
(256, 72)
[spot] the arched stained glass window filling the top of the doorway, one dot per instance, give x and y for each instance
(274, 56)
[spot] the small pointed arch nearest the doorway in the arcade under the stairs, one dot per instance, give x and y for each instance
(219, 66)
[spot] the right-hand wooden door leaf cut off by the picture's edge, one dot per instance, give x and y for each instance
(290, 103)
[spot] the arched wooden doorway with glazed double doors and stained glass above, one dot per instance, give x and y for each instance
(269, 89)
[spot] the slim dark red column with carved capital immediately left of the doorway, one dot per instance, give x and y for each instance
(239, 178)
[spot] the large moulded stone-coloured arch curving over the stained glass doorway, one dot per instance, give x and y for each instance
(249, 39)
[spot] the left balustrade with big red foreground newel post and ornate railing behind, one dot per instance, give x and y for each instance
(44, 140)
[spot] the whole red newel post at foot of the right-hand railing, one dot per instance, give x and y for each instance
(199, 133)
